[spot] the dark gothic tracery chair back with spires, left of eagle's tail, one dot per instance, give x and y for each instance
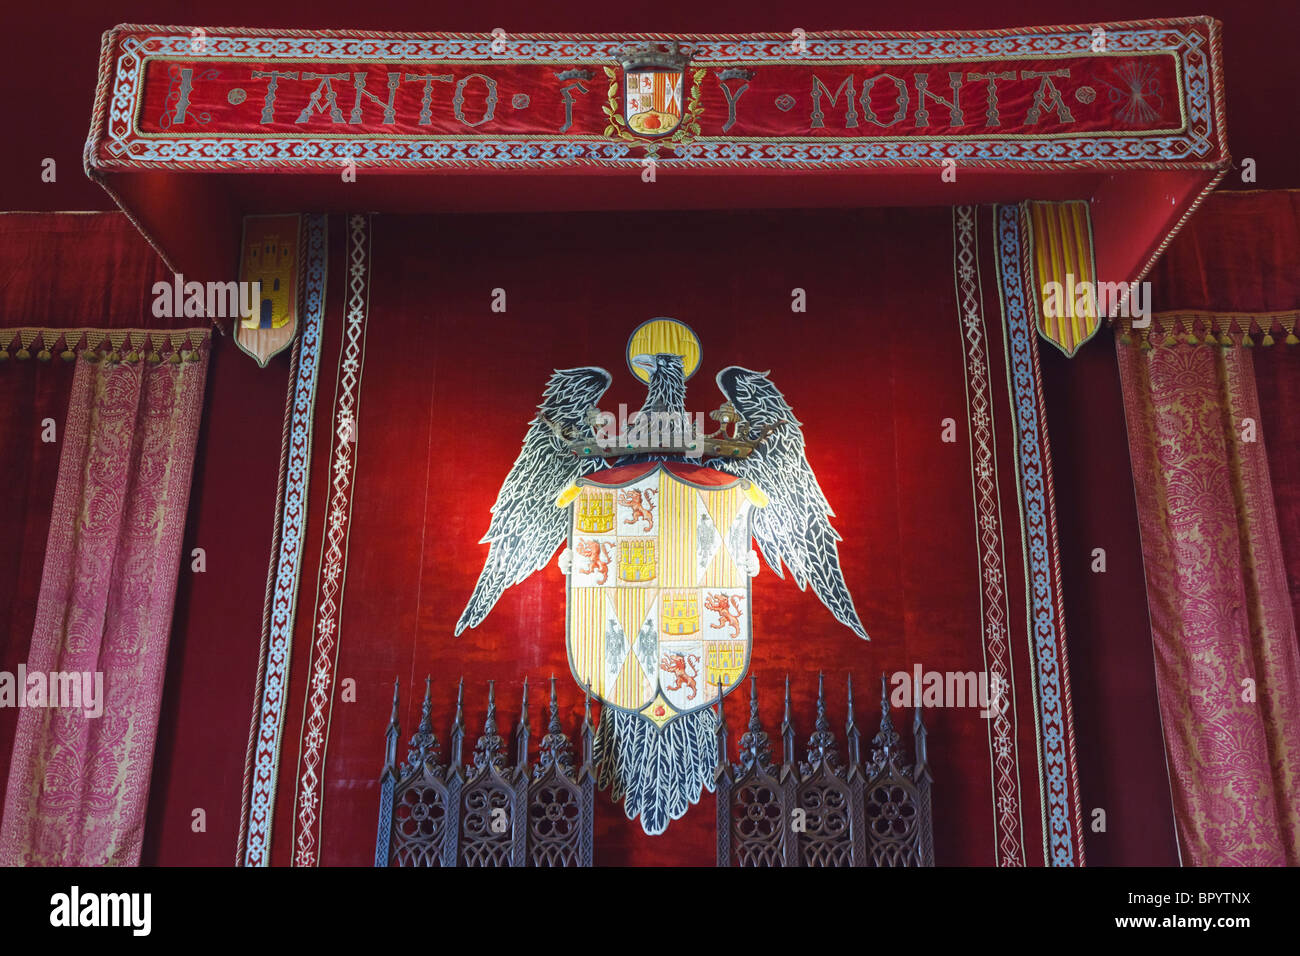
(487, 814)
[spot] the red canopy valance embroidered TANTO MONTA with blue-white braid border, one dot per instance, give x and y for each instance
(1115, 96)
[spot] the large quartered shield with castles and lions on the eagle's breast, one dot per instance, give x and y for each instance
(658, 594)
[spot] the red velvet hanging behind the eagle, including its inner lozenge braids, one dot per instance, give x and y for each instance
(439, 388)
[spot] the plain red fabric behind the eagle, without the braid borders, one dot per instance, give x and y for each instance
(447, 395)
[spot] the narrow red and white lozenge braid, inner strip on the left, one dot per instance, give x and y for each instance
(327, 633)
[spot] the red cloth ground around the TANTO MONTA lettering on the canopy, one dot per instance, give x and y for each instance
(756, 114)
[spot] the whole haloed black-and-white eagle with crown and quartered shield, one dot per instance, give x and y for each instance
(658, 513)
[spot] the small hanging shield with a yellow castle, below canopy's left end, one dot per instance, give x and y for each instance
(268, 257)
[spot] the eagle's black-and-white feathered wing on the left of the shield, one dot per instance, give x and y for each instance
(526, 526)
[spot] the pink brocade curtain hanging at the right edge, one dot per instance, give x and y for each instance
(1220, 607)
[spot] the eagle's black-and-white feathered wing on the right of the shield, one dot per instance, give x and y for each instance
(795, 527)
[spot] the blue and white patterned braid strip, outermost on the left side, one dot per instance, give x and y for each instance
(272, 693)
